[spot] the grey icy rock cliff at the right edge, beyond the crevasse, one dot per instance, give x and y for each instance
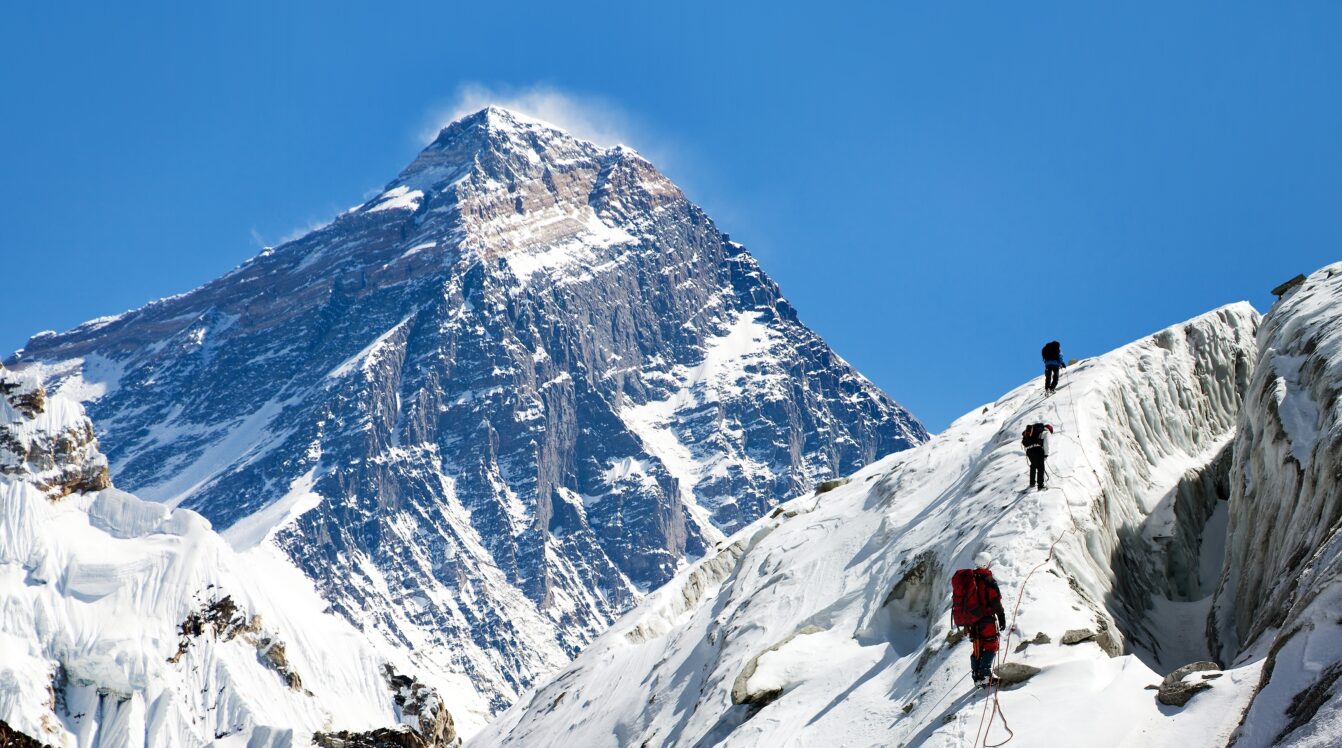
(1282, 592)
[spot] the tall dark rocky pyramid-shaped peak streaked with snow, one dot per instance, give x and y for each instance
(488, 410)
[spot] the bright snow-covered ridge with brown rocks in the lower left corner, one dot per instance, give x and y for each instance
(124, 622)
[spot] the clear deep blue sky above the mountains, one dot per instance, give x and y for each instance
(940, 187)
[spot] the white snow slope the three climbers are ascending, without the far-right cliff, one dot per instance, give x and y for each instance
(826, 622)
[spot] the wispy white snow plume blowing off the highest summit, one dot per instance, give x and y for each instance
(584, 116)
